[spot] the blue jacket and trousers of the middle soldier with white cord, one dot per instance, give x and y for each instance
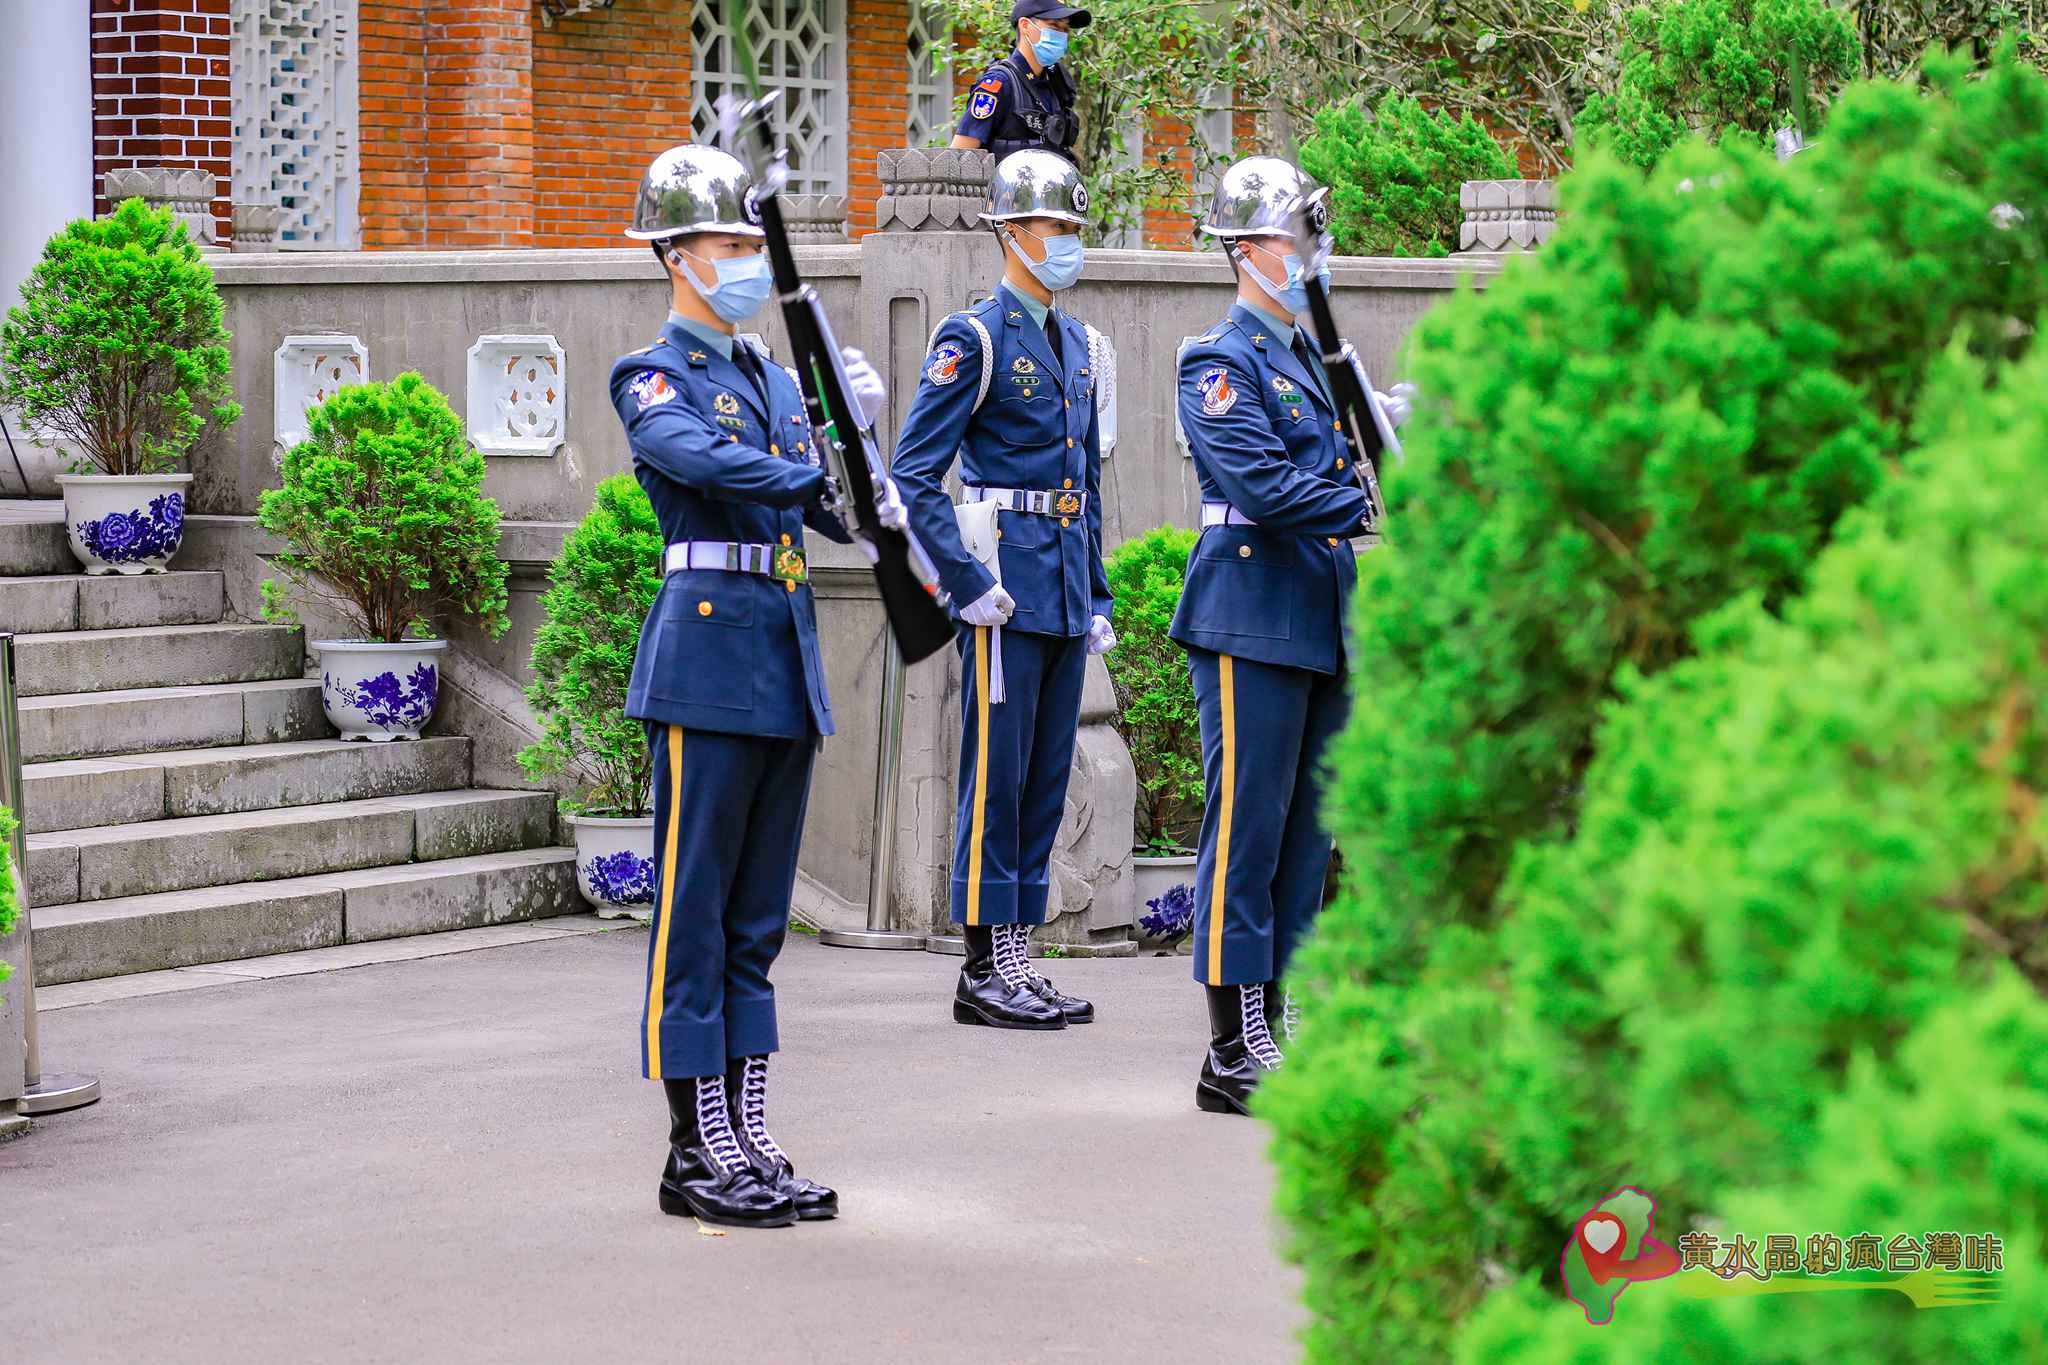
(1031, 443)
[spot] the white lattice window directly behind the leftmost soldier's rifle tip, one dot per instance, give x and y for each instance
(802, 50)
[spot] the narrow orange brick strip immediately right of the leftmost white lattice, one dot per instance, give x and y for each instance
(392, 124)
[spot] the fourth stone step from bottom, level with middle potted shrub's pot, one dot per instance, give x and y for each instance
(81, 725)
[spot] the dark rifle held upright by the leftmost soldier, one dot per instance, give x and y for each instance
(908, 582)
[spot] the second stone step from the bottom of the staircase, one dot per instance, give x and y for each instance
(265, 846)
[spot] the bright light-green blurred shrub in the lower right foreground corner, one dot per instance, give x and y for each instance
(1791, 975)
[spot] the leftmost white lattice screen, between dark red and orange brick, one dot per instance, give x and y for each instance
(296, 116)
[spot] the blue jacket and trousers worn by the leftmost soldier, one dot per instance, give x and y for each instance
(728, 680)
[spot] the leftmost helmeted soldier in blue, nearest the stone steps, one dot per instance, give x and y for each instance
(728, 682)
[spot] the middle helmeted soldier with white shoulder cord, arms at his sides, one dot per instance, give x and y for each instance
(1011, 390)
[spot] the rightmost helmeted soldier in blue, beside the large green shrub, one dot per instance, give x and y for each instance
(1263, 621)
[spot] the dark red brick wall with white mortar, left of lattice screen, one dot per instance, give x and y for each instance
(161, 93)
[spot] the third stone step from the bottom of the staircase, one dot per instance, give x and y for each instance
(165, 787)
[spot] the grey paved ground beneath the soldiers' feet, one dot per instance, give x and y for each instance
(454, 1159)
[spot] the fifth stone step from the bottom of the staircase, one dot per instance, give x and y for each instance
(157, 658)
